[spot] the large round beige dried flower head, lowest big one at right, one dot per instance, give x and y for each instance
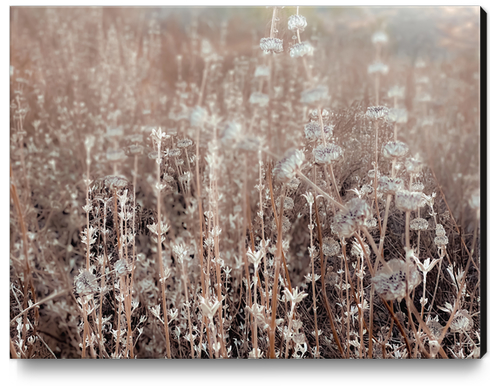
(390, 281)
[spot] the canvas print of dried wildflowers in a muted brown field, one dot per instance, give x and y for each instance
(245, 183)
